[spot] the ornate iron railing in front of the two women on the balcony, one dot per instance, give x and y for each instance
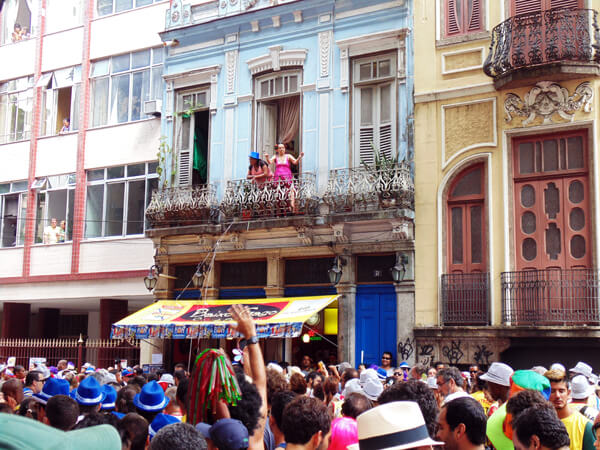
(246, 200)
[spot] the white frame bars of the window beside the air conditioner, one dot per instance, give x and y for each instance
(104, 70)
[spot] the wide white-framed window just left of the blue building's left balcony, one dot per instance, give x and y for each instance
(117, 198)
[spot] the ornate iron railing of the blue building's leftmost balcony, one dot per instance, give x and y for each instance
(182, 205)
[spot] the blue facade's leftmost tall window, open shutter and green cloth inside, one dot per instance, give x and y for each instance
(193, 125)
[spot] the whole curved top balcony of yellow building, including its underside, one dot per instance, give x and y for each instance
(556, 44)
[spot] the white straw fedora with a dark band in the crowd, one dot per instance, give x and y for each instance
(393, 426)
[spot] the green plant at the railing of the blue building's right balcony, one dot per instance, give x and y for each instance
(383, 174)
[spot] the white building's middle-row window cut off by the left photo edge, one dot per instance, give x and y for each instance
(16, 97)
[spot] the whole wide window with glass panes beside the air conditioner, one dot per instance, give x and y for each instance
(121, 84)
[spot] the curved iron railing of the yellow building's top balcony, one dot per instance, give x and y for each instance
(542, 38)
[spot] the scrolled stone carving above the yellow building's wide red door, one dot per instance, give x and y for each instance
(547, 99)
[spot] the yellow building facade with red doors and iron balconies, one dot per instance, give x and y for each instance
(506, 182)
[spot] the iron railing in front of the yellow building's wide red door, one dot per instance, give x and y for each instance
(551, 297)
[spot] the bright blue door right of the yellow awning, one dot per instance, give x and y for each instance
(375, 323)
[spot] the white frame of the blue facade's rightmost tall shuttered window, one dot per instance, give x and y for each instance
(375, 82)
